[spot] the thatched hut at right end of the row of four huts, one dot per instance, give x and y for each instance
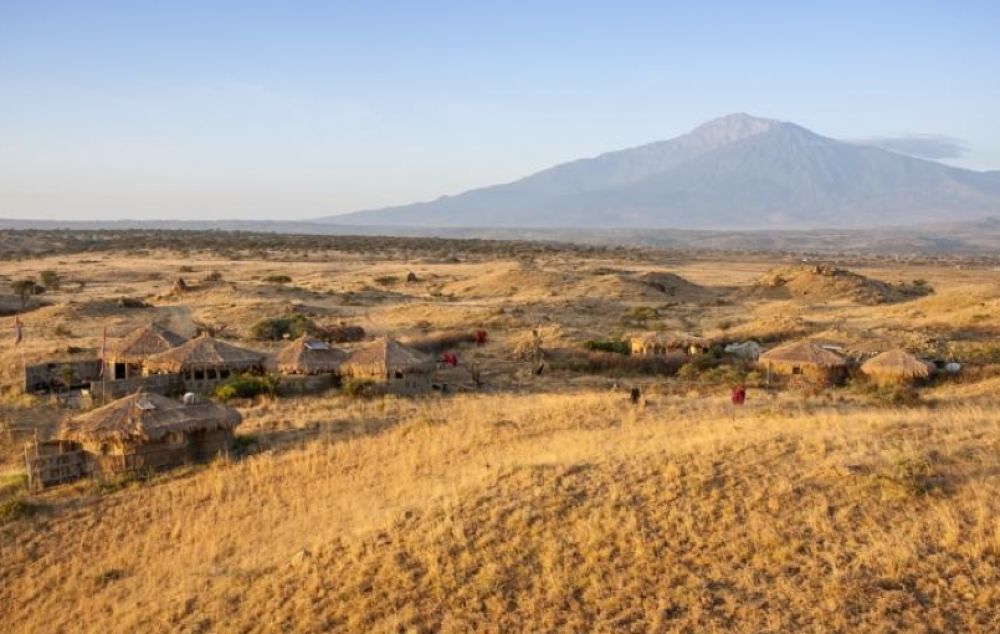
(399, 368)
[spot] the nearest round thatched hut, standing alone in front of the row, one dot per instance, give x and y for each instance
(148, 431)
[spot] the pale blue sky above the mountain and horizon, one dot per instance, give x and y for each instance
(295, 110)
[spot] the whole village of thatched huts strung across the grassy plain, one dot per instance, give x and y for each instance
(149, 398)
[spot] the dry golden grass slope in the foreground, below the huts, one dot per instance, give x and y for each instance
(544, 513)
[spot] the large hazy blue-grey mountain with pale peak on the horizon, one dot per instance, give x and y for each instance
(735, 172)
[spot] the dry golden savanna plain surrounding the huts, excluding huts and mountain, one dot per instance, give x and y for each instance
(550, 479)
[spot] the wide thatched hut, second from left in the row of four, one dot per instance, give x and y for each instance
(204, 362)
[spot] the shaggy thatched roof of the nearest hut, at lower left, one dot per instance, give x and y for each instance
(148, 417)
